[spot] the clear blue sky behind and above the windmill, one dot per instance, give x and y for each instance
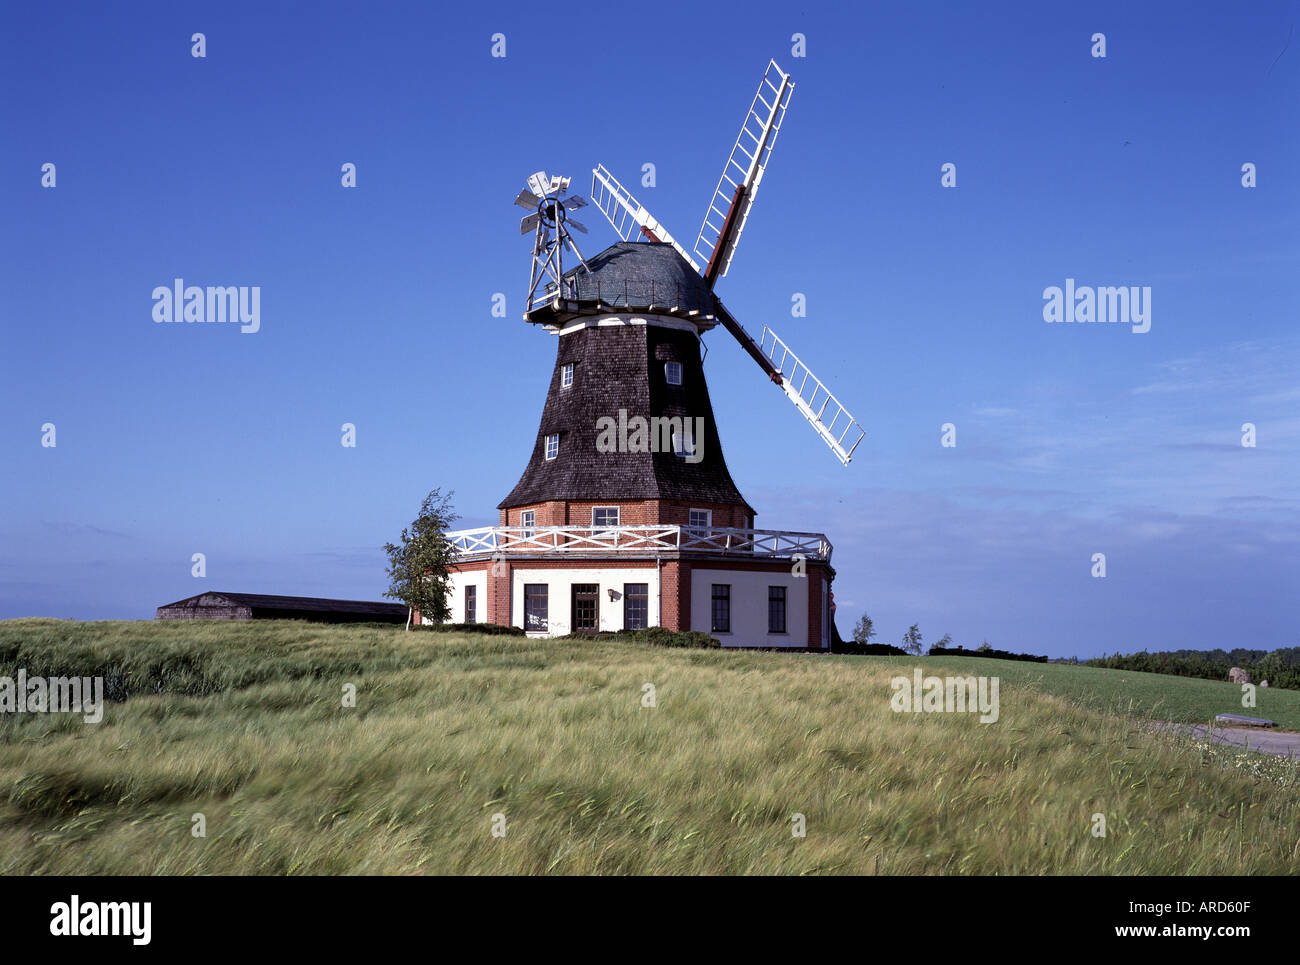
(925, 305)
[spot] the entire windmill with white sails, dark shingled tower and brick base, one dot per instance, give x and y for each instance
(626, 516)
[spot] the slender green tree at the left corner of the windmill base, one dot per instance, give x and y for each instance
(418, 566)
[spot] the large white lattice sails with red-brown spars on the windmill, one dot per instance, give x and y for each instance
(716, 248)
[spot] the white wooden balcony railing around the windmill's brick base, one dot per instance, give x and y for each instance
(772, 544)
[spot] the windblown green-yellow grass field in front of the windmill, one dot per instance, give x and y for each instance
(244, 722)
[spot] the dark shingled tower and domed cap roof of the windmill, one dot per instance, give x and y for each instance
(622, 367)
